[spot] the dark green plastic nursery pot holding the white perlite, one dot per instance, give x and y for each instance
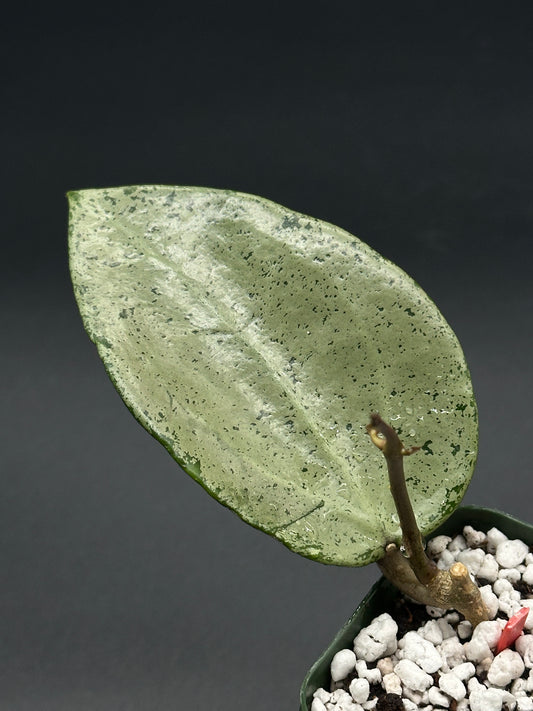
(383, 595)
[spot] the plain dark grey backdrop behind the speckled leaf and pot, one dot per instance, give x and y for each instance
(123, 585)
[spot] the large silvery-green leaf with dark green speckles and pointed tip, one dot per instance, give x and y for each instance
(254, 341)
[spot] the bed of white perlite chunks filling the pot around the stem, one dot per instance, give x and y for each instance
(437, 665)
